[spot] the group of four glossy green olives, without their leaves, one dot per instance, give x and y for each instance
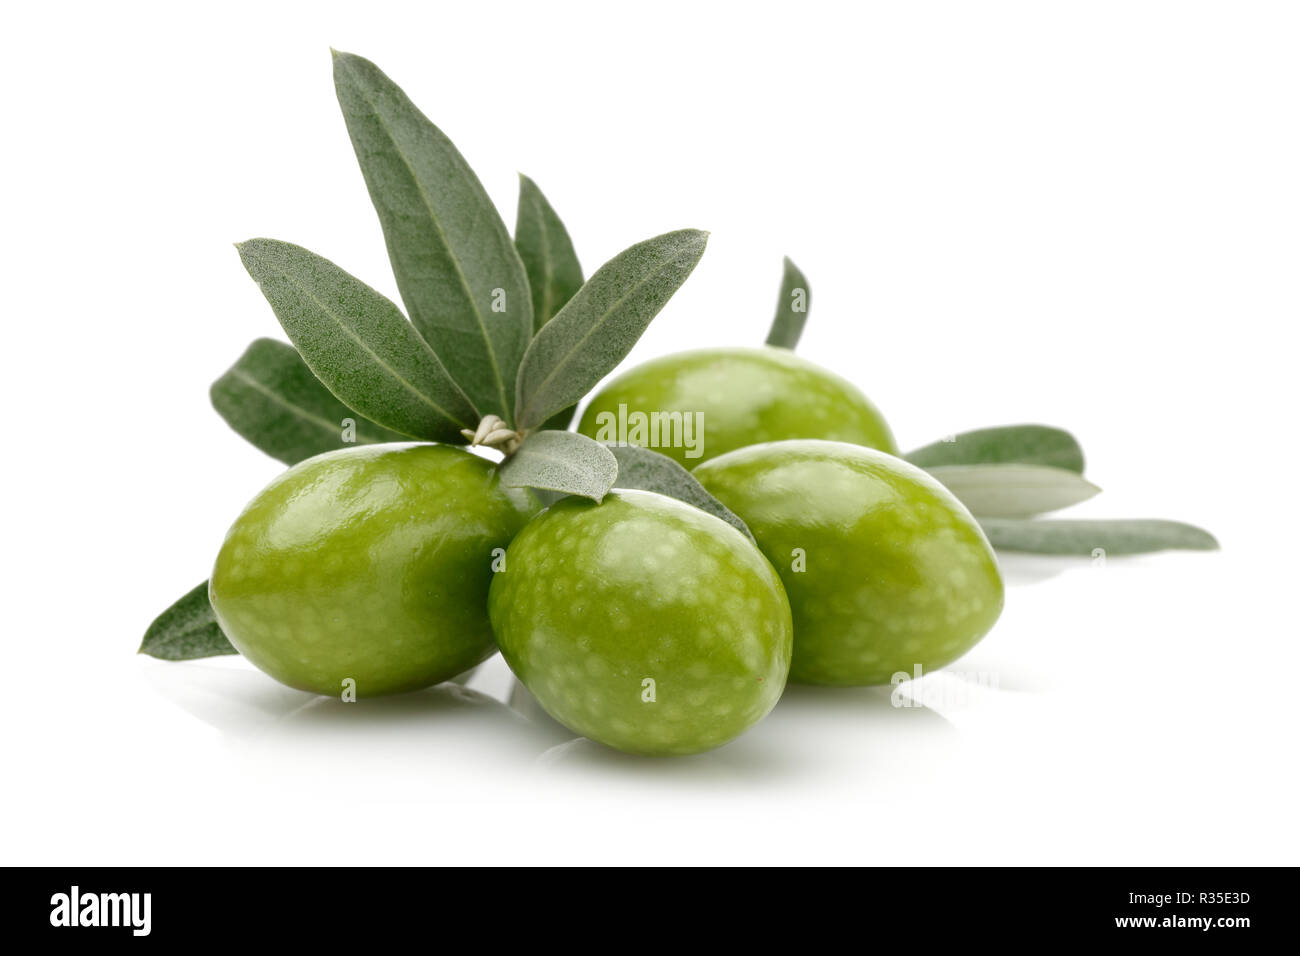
(640, 622)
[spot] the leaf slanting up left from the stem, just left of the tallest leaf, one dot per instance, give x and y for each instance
(358, 343)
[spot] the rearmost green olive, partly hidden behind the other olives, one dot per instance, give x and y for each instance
(744, 397)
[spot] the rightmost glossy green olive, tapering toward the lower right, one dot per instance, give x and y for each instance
(896, 573)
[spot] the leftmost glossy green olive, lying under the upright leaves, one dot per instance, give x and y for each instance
(370, 564)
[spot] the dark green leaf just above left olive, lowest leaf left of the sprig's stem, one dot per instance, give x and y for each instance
(272, 399)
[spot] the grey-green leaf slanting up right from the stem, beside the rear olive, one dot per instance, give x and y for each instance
(599, 327)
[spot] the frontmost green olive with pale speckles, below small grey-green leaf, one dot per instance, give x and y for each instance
(643, 622)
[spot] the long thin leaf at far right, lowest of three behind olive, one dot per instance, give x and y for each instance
(1130, 537)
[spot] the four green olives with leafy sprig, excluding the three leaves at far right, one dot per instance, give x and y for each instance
(653, 591)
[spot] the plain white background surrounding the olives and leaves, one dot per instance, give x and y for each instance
(1077, 214)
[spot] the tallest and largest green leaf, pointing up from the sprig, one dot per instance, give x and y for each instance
(457, 267)
